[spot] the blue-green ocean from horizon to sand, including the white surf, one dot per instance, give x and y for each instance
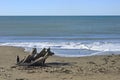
(68, 36)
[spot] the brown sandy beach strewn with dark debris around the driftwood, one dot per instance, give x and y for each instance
(59, 68)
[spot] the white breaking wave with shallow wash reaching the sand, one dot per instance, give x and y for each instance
(67, 49)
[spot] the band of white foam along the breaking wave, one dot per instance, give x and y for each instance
(97, 46)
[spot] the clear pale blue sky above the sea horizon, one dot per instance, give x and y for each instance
(59, 7)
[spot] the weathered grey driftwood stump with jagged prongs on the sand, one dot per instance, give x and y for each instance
(34, 58)
